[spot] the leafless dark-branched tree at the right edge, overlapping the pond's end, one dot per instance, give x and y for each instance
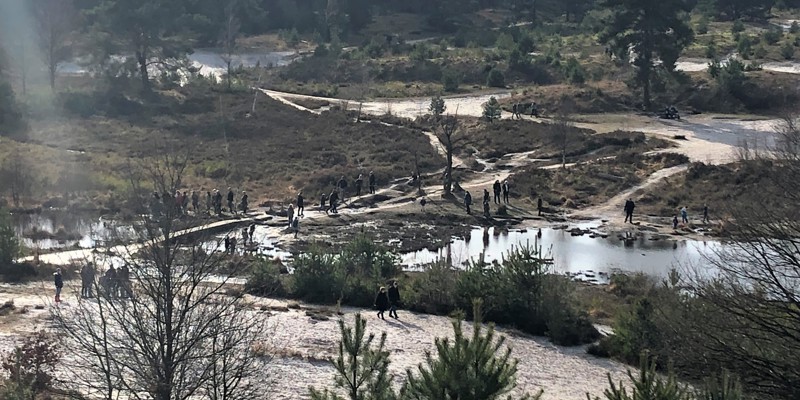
(747, 317)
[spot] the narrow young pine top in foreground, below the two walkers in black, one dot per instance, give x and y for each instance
(362, 371)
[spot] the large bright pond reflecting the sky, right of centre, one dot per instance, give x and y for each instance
(584, 255)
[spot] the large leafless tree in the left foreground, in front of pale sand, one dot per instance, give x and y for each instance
(171, 330)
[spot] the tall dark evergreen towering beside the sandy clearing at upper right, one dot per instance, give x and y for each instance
(648, 31)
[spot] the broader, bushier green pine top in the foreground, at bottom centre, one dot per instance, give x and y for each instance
(476, 368)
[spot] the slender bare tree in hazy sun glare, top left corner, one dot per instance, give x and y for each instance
(55, 19)
